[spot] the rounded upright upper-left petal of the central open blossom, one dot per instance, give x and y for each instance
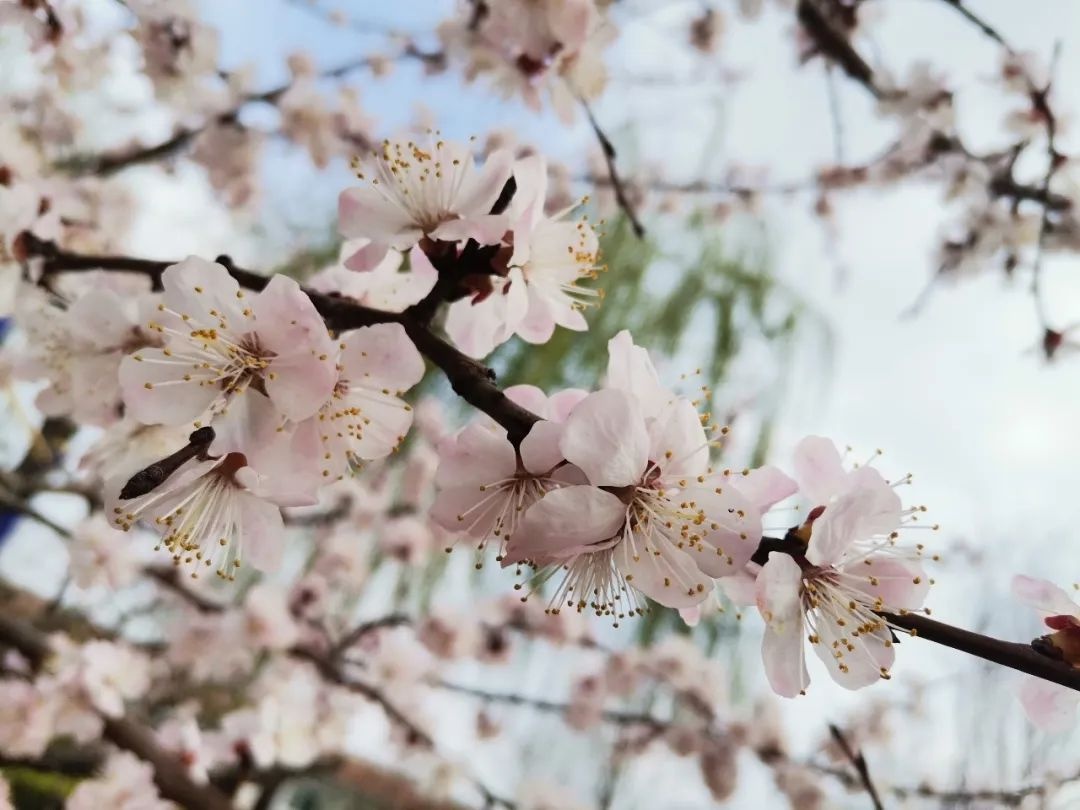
(606, 438)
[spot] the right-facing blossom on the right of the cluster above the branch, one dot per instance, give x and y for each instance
(541, 291)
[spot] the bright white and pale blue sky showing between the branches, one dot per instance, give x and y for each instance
(952, 395)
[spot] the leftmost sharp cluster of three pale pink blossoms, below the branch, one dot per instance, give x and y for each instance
(290, 410)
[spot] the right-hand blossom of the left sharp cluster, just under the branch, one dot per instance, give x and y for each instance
(364, 418)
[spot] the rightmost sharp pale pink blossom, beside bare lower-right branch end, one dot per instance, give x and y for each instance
(853, 572)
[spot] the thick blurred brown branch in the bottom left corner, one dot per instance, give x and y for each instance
(169, 773)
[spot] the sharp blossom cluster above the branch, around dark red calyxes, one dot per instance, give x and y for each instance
(516, 269)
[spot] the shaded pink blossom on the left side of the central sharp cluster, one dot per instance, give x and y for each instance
(485, 485)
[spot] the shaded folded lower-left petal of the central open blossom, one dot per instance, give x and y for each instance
(565, 523)
